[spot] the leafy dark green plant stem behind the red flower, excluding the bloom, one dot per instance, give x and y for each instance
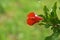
(51, 20)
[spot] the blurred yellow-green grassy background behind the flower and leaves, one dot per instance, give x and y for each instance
(13, 15)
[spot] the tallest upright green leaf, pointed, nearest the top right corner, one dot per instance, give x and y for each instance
(53, 15)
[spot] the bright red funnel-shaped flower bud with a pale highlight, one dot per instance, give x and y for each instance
(32, 18)
